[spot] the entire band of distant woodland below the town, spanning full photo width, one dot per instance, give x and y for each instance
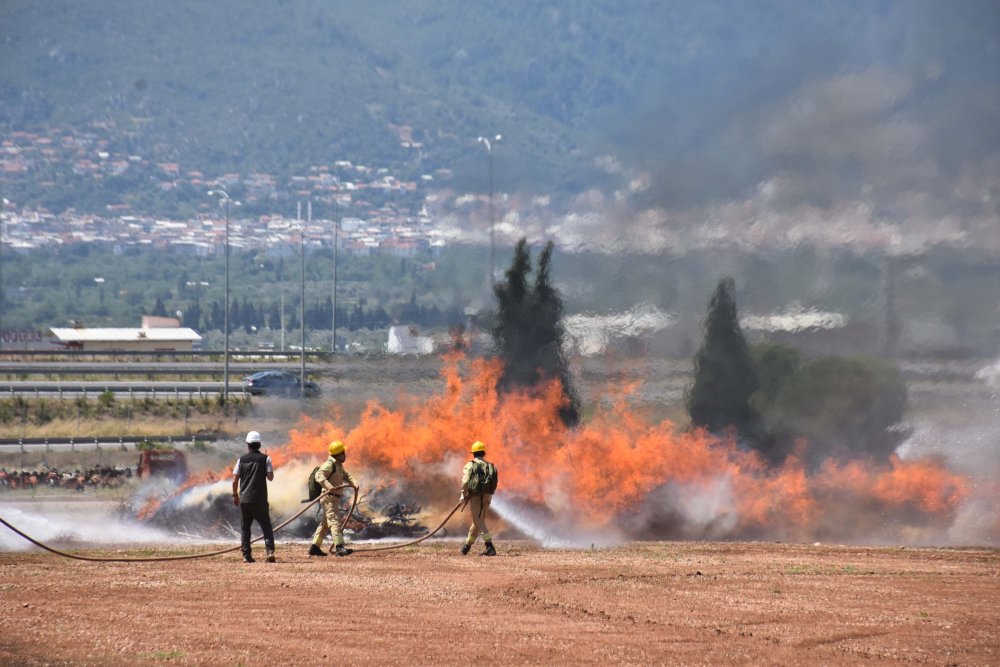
(941, 301)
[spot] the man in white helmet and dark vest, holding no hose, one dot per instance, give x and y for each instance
(250, 477)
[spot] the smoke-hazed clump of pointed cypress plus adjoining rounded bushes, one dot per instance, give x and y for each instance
(770, 398)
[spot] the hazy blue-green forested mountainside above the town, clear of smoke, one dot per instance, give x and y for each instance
(294, 82)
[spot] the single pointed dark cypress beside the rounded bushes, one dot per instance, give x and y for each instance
(724, 375)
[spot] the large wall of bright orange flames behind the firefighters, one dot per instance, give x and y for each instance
(610, 465)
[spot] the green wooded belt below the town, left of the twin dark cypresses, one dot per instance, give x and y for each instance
(102, 286)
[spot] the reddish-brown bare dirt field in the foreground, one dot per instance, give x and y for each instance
(644, 603)
